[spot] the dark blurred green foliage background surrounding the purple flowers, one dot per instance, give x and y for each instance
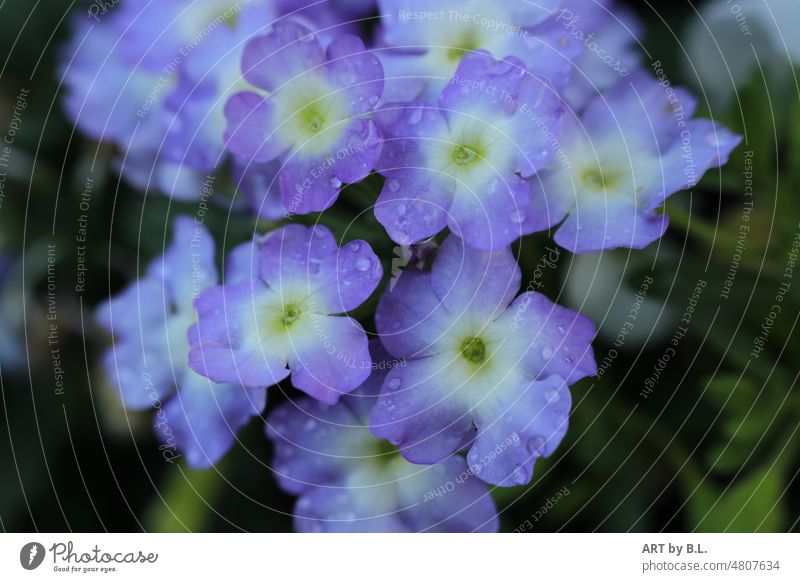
(708, 443)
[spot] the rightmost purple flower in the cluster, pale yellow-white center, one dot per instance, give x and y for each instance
(630, 150)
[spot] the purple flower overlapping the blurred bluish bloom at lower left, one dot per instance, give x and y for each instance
(283, 312)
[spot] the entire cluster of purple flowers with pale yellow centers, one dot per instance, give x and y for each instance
(469, 128)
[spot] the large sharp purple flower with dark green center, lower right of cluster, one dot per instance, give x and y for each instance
(485, 371)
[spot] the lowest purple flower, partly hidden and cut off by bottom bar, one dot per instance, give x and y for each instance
(349, 481)
